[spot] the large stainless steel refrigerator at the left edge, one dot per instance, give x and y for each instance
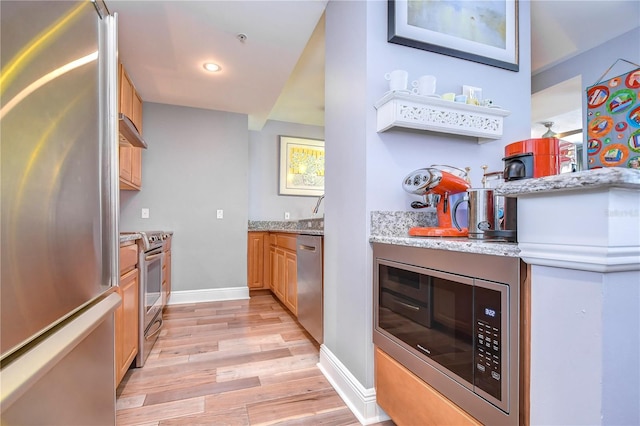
(58, 211)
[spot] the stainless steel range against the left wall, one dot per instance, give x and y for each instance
(150, 262)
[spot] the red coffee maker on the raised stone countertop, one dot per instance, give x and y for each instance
(532, 158)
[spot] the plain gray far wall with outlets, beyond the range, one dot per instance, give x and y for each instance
(196, 163)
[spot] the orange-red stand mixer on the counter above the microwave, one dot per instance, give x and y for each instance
(436, 185)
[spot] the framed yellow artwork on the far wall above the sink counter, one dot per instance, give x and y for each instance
(301, 166)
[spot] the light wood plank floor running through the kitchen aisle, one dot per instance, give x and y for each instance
(245, 362)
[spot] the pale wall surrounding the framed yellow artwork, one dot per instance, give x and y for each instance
(264, 160)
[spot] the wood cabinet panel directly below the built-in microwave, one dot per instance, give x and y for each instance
(410, 401)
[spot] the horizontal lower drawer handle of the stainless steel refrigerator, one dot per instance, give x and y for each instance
(18, 376)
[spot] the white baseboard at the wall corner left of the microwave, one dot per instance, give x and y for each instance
(361, 401)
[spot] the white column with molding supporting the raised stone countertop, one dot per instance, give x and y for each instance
(584, 248)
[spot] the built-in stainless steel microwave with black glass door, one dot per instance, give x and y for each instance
(452, 319)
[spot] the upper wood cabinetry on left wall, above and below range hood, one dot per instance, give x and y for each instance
(130, 157)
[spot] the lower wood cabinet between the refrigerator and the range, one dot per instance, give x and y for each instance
(126, 315)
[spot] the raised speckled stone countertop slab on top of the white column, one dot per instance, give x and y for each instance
(613, 177)
